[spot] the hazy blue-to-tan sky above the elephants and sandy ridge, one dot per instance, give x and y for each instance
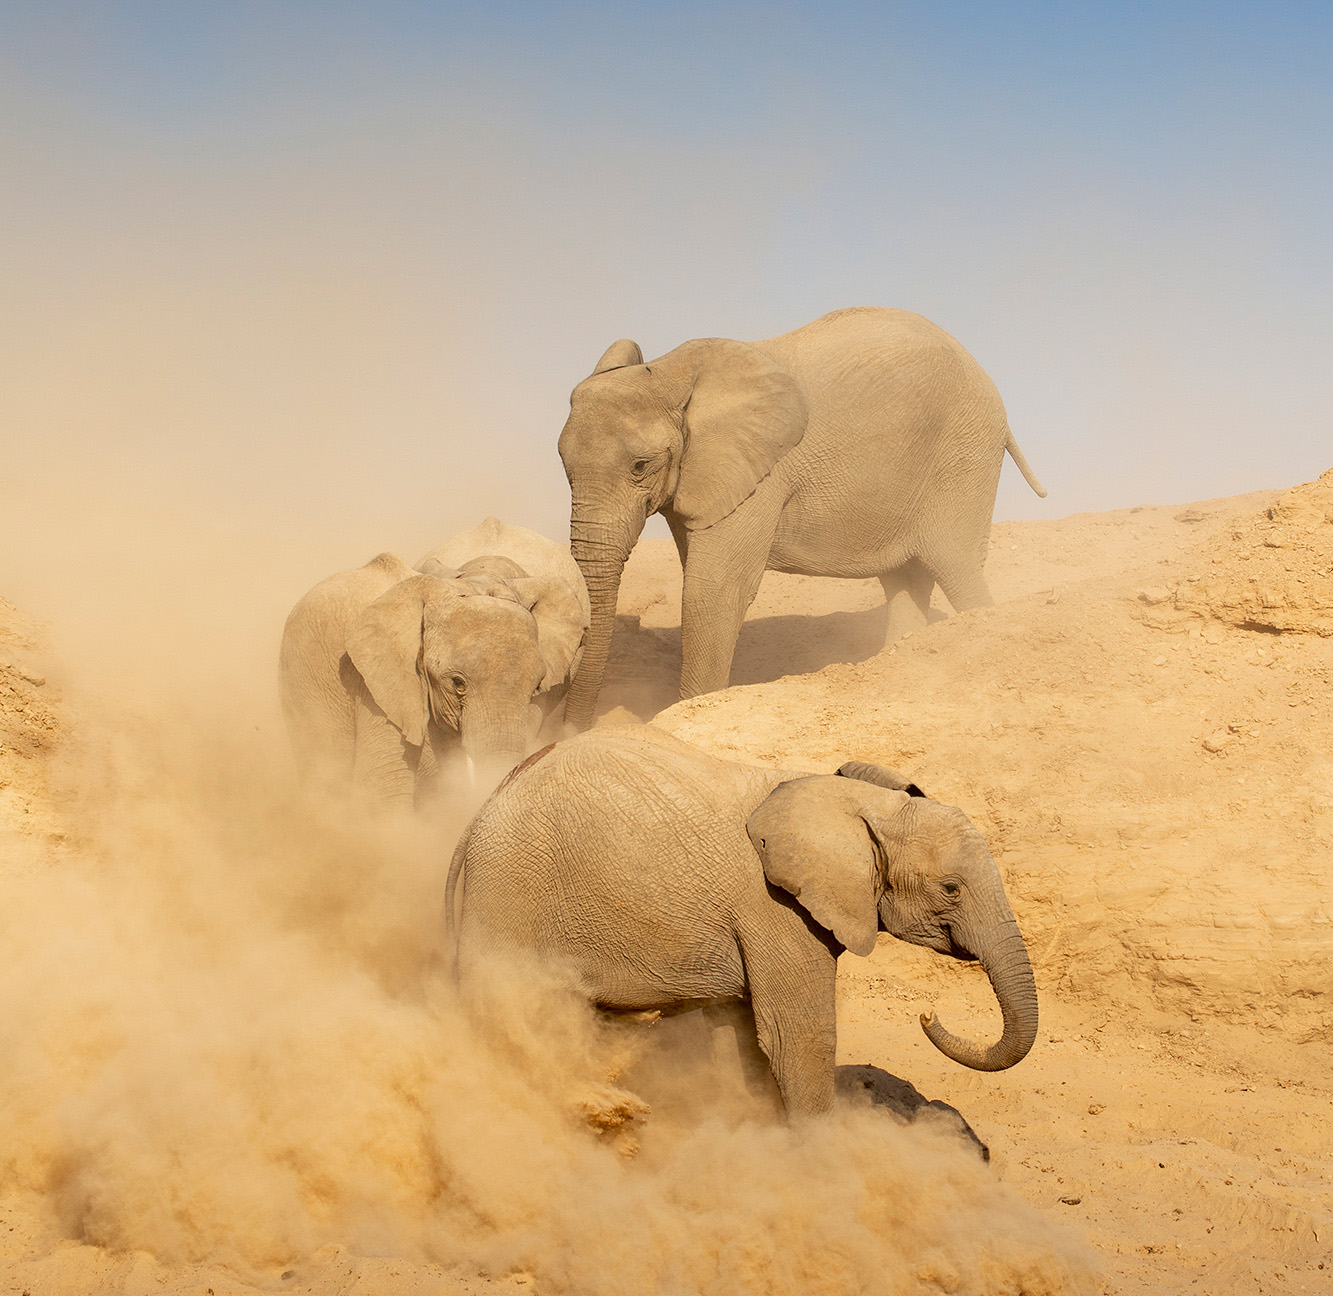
(323, 265)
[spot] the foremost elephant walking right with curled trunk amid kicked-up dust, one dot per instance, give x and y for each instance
(666, 879)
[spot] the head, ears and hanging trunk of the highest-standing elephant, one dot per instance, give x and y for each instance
(691, 434)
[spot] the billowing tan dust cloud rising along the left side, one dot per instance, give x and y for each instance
(229, 1034)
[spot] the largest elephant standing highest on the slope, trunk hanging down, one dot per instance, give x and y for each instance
(867, 443)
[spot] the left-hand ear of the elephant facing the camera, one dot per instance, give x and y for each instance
(385, 645)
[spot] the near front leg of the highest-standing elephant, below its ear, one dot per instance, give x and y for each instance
(724, 565)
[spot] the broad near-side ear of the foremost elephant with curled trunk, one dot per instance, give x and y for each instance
(816, 846)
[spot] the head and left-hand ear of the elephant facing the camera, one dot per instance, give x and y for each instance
(433, 649)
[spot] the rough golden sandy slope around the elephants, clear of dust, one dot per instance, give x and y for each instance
(1152, 767)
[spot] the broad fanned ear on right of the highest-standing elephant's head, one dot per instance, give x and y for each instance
(744, 414)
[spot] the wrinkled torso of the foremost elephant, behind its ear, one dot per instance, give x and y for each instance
(613, 845)
